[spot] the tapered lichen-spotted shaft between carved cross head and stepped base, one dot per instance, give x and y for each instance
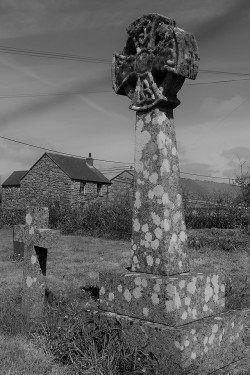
(159, 232)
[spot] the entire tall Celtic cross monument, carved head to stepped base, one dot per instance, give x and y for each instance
(177, 315)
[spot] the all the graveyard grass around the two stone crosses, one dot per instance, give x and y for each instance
(70, 337)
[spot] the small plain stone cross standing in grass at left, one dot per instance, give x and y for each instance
(36, 239)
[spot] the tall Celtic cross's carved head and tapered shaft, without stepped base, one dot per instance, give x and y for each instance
(151, 69)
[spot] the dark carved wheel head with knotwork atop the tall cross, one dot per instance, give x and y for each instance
(152, 67)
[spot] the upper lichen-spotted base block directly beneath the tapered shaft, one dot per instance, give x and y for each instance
(163, 299)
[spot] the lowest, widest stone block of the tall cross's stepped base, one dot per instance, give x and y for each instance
(197, 348)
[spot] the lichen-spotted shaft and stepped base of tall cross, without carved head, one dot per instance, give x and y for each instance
(178, 316)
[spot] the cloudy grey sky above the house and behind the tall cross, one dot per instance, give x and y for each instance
(212, 121)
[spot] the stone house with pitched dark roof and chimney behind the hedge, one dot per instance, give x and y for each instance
(54, 178)
